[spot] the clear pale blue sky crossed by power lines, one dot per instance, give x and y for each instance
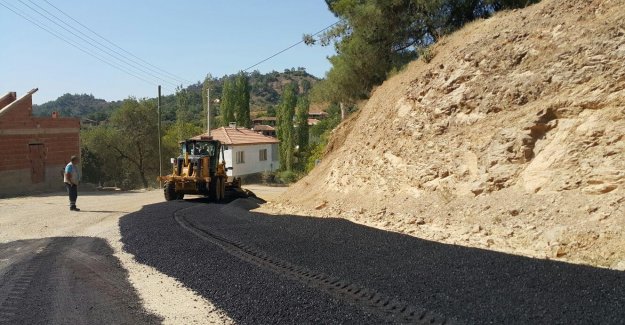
(189, 39)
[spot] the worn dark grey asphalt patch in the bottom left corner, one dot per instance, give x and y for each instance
(66, 280)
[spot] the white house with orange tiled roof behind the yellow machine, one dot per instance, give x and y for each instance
(247, 152)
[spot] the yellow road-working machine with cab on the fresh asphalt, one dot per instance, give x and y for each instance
(197, 170)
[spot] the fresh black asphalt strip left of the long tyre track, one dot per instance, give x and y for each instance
(248, 294)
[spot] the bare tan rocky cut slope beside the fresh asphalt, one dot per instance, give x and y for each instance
(511, 137)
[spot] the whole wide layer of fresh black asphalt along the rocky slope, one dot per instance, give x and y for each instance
(244, 270)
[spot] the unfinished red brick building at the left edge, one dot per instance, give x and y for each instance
(33, 150)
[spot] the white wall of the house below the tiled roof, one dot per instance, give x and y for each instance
(252, 163)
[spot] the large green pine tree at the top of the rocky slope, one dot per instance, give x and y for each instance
(374, 37)
